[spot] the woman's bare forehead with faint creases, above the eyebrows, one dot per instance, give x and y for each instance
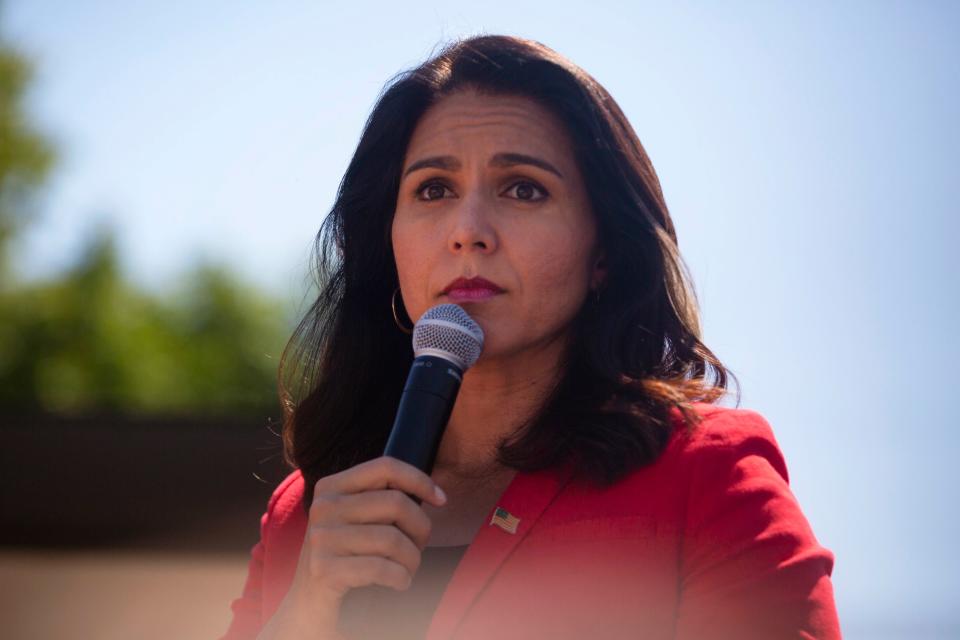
(466, 121)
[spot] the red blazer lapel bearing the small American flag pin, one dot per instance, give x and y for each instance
(525, 498)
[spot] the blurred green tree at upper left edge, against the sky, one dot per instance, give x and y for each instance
(26, 157)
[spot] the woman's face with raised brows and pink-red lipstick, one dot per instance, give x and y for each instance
(490, 189)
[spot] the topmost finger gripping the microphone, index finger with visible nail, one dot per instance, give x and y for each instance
(384, 472)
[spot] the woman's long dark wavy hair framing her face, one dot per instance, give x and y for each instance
(637, 351)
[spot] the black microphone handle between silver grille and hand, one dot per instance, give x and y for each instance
(424, 410)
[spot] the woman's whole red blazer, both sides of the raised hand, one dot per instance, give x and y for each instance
(706, 543)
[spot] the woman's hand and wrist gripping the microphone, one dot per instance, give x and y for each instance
(365, 527)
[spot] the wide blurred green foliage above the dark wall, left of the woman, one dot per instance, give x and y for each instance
(89, 341)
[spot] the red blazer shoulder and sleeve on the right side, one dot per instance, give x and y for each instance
(748, 551)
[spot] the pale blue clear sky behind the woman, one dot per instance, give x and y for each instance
(807, 152)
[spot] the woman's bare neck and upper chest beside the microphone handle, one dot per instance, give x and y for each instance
(496, 397)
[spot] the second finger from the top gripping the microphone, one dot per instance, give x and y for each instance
(385, 506)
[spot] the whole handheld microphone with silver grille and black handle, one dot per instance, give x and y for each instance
(446, 342)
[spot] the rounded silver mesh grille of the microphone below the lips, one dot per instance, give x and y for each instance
(448, 332)
